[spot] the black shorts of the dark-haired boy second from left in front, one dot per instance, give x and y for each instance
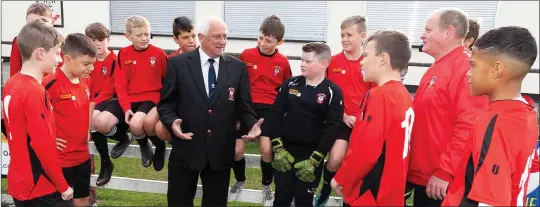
(78, 177)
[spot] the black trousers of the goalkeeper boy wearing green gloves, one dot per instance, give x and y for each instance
(289, 186)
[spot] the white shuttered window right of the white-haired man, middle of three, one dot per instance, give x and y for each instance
(304, 20)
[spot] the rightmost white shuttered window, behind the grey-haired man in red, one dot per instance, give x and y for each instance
(410, 16)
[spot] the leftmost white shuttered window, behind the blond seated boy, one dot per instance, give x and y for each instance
(160, 14)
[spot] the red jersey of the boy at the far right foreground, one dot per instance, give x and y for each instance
(496, 168)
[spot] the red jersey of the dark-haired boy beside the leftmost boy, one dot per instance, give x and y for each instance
(72, 113)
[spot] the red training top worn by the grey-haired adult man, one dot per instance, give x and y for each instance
(445, 110)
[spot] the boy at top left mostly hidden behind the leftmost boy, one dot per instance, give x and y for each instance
(36, 10)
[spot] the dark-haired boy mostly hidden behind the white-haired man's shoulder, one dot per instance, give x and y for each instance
(184, 36)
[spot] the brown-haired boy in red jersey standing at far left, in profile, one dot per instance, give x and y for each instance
(35, 175)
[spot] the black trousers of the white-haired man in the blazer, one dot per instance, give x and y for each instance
(183, 185)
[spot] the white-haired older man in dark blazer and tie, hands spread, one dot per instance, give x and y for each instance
(203, 94)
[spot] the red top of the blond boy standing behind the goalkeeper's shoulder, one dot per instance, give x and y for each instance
(347, 74)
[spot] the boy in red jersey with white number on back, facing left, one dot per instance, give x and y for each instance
(375, 168)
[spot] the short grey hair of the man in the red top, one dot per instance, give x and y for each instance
(455, 17)
